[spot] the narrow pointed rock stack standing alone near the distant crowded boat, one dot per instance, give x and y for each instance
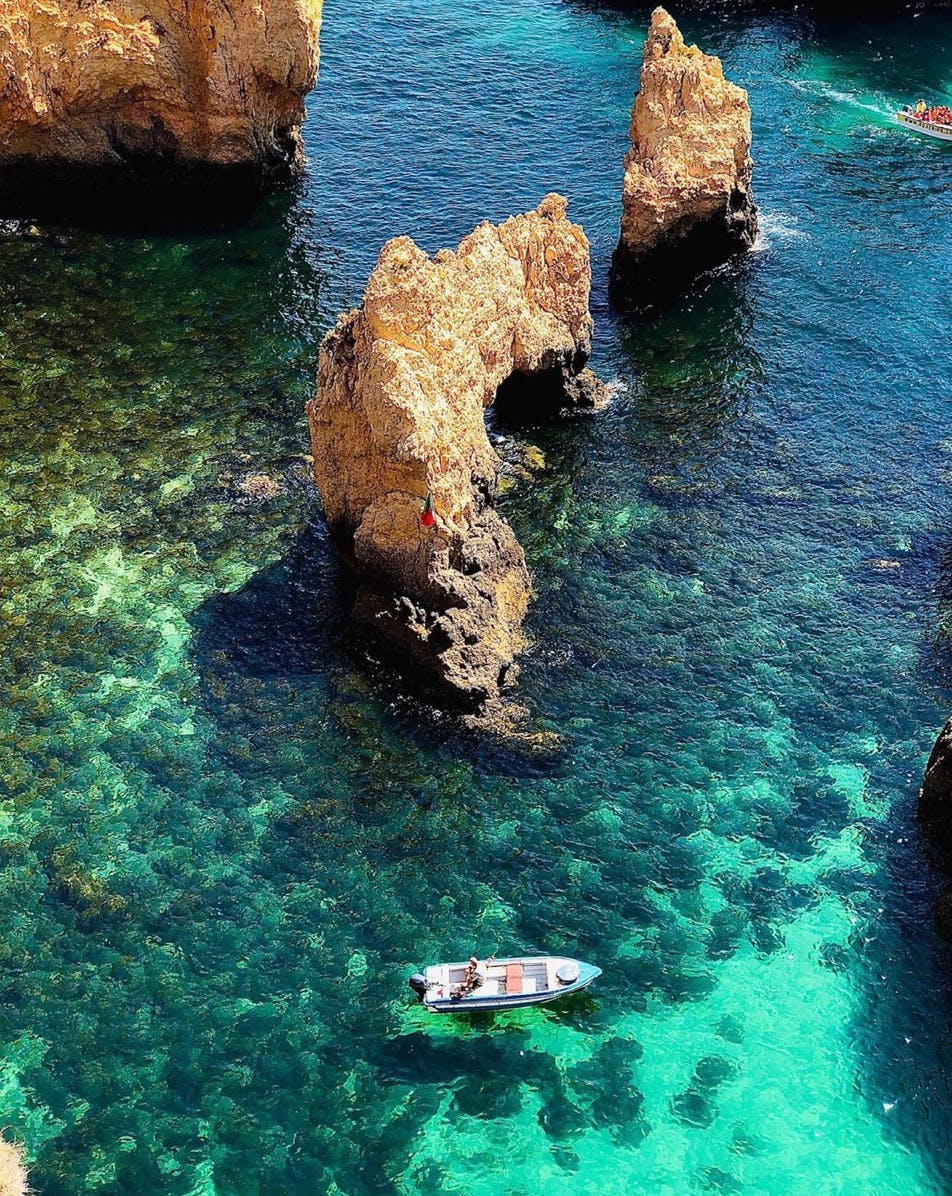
(687, 203)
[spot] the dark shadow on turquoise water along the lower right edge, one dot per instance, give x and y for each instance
(904, 1033)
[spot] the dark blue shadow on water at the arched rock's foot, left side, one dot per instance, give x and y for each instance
(286, 637)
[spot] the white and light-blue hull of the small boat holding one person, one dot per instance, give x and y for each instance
(438, 998)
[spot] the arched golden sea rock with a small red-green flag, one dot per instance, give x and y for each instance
(399, 420)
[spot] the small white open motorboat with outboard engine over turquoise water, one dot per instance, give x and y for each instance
(502, 984)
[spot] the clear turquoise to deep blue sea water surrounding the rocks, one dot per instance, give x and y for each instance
(224, 846)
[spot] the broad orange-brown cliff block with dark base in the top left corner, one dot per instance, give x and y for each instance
(172, 97)
